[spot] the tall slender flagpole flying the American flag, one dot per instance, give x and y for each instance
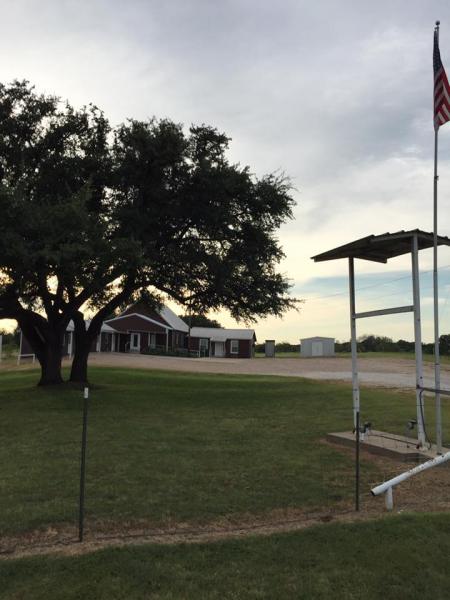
(437, 366)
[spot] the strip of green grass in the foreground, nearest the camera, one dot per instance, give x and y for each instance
(396, 558)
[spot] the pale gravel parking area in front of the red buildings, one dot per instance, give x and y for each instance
(398, 373)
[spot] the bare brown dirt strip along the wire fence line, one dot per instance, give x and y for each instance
(427, 492)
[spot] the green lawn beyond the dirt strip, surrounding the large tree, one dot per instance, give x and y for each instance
(169, 447)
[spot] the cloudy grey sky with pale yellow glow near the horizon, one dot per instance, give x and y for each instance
(338, 95)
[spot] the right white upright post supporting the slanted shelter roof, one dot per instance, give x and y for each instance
(418, 341)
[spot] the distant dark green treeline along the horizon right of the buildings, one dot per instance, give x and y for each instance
(371, 343)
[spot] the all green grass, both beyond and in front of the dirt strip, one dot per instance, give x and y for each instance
(169, 448)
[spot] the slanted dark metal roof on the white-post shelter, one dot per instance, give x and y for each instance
(380, 248)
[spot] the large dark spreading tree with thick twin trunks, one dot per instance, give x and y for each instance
(95, 216)
